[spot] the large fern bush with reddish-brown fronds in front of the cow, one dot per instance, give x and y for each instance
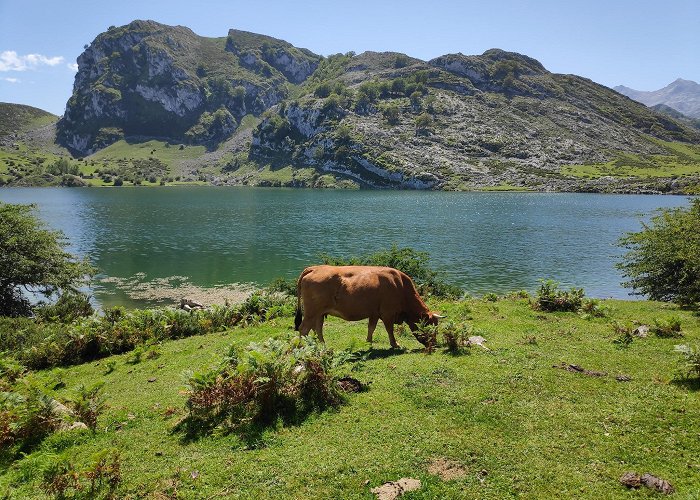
(256, 385)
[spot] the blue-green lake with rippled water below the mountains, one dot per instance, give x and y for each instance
(142, 239)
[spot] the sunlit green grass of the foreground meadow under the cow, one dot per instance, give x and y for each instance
(535, 430)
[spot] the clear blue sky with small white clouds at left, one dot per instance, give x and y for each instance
(642, 44)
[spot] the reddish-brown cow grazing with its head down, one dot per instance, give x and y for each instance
(358, 292)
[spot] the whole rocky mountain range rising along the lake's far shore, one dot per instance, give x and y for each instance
(264, 112)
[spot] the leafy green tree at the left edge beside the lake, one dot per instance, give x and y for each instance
(33, 261)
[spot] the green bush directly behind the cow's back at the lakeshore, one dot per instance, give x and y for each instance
(407, 260)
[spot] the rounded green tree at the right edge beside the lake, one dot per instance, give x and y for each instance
(663, 260)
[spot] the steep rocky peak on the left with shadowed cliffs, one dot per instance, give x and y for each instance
(149, 79)
